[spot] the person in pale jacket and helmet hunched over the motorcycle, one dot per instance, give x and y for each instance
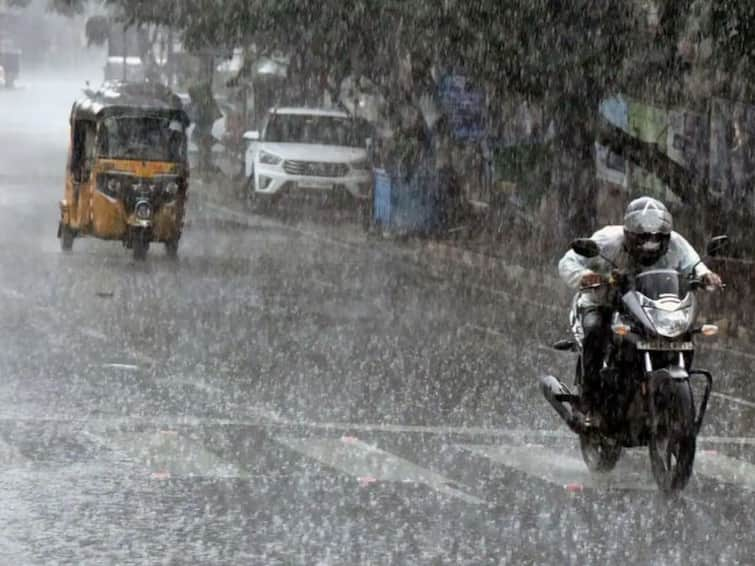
(645, 241)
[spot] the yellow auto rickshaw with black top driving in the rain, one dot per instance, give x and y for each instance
(127, 173)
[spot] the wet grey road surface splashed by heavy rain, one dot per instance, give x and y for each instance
(270, 398)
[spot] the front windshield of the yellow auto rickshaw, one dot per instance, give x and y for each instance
(148, 139)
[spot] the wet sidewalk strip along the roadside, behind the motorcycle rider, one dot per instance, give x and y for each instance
(480, 260)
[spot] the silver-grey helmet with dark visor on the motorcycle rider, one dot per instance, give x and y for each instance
(647, 230)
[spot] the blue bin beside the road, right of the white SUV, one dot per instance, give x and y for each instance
(406, 205)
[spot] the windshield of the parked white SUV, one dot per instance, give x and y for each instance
(312, 129)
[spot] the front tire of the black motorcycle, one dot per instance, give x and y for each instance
(672, 436)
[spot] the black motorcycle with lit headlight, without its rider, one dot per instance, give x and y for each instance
(647, 398)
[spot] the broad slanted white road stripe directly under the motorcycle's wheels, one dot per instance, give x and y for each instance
(565, 469)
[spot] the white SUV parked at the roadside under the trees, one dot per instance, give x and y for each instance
(305, 150)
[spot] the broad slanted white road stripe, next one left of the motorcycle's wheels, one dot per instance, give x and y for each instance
(368, 463)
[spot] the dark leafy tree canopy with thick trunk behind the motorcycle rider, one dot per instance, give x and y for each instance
(563, 55)
